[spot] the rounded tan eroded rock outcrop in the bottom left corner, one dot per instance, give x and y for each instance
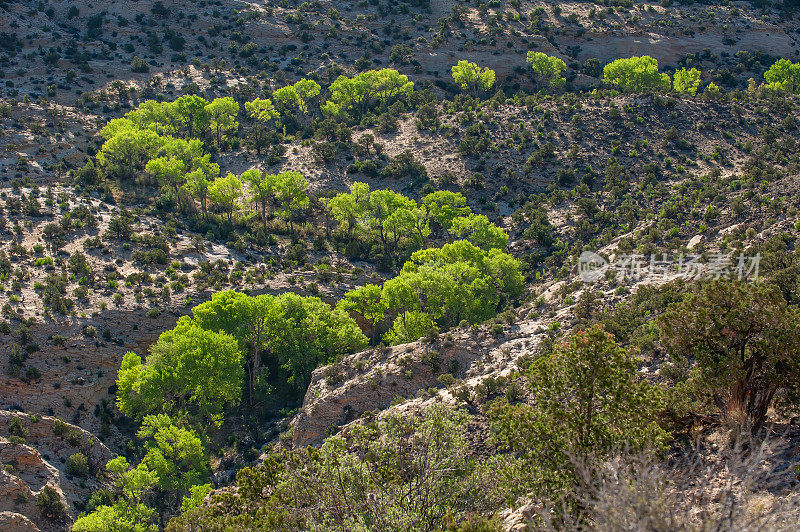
(34, 452)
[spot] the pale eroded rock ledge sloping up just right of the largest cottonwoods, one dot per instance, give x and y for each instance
(377, 379)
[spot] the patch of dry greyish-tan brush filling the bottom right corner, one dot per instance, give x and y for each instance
(744, 487)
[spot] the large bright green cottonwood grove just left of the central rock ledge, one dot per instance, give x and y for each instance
(198, 368)
